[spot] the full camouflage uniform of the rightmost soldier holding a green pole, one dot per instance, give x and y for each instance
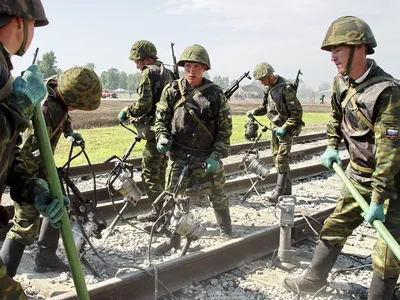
(374, 159)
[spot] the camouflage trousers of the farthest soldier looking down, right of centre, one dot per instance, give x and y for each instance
(280, 147)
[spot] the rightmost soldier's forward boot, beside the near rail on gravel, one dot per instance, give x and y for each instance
(317, 273)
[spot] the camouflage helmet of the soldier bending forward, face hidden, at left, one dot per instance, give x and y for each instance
(80, 88)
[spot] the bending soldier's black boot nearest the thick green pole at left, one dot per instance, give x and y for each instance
(46, 258)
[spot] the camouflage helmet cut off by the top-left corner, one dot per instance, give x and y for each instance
(26, 9)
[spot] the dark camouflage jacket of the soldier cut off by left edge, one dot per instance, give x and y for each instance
(13, 121)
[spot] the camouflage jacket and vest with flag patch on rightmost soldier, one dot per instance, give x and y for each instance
(374, 152)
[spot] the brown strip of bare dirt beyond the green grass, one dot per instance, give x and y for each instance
(107, 113)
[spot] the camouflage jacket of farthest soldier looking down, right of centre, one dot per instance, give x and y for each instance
(281, 106)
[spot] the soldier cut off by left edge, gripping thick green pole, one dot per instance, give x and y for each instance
(18, 97)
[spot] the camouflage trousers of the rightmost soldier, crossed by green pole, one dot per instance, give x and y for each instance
(347, 217)
